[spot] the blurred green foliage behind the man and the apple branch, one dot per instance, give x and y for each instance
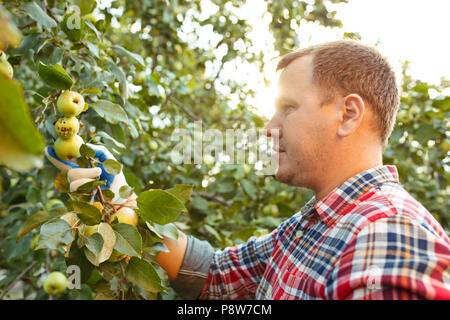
(148, 57)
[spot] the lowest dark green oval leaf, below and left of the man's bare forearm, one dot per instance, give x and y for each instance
(144, 275)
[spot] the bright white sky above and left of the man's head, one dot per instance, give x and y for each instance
(414, 30)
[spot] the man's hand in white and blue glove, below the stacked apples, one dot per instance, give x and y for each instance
(78, 176)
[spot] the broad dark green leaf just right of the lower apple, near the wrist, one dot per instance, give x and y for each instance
(159, 206)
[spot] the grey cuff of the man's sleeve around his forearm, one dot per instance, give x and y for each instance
(194, 269)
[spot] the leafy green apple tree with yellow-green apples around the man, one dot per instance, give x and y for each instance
(144, 69)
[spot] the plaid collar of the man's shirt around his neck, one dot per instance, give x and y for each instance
(334, 204)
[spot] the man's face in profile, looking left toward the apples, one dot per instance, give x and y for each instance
(306, 130)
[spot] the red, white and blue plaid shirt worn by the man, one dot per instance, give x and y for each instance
(367, 239)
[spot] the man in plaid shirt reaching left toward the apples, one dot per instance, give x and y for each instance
(362, 236)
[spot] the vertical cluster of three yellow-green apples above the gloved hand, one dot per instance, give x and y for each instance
(67, 146)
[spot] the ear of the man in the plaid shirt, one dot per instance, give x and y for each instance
(352, 108)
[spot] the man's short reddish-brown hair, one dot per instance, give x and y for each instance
(347, 66)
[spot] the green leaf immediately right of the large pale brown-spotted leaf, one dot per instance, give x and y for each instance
(128, 239)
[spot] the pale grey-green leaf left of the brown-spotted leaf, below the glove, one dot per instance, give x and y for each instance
(54, 234)
